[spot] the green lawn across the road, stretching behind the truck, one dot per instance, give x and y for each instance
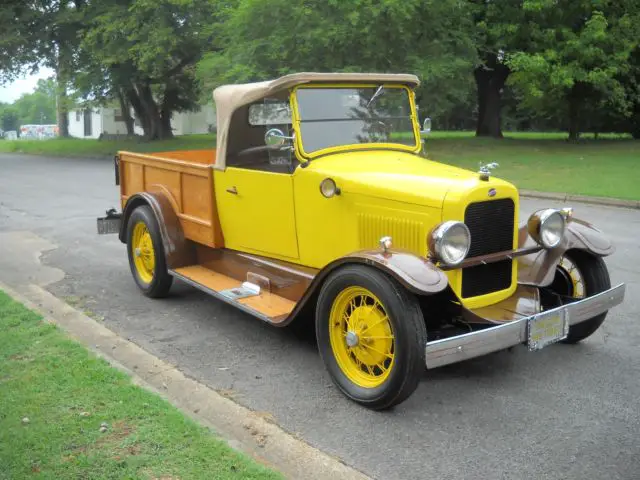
(606, 167)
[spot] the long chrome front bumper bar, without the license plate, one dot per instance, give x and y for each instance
(470, 345)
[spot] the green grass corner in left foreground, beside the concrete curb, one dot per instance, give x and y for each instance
(66, 393)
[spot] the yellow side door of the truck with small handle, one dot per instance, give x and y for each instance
(260, 216)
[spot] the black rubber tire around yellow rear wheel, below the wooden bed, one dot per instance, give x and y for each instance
(161, 282)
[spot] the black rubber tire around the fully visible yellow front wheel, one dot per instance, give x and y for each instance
(408, 327)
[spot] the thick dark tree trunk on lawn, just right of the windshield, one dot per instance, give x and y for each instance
(490, 80)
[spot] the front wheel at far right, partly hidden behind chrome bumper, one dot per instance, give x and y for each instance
(579, 275)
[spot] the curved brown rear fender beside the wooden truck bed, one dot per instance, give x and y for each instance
(178, 250)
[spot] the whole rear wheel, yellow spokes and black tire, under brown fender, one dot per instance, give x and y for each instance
(146, 253)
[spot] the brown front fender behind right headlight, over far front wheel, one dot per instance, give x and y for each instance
(539, 268)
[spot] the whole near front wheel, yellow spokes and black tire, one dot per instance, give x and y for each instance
(371, 336)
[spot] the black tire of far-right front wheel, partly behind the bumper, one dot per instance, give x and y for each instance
(596, 280)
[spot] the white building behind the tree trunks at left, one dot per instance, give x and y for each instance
(90, 123)
